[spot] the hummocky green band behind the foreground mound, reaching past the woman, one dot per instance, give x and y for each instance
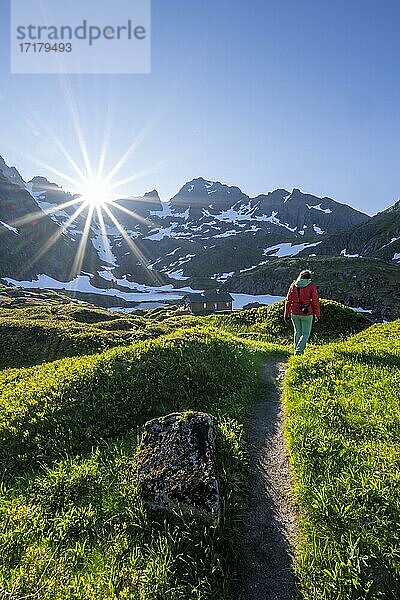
(37, 333)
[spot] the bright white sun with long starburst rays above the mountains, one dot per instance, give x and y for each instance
(95, 192)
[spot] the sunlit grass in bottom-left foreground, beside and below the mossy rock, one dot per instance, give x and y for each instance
(79, 530)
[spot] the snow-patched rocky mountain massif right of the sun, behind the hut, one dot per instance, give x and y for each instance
(212, 230)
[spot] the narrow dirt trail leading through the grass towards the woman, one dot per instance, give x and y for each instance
(269, 522)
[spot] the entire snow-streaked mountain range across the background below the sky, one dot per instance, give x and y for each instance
(206, 234)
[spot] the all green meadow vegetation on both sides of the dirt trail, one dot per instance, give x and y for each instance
(76, 386)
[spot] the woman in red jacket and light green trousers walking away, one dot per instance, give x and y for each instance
(302, 305)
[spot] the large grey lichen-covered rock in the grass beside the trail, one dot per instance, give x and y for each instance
(177, 463)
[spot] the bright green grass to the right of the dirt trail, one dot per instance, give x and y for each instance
(343, 429)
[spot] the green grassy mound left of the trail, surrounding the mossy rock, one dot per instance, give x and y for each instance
(71, 522)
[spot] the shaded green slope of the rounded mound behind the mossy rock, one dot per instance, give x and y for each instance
(66, 406)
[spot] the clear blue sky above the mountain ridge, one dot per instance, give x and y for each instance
(260, 94)
